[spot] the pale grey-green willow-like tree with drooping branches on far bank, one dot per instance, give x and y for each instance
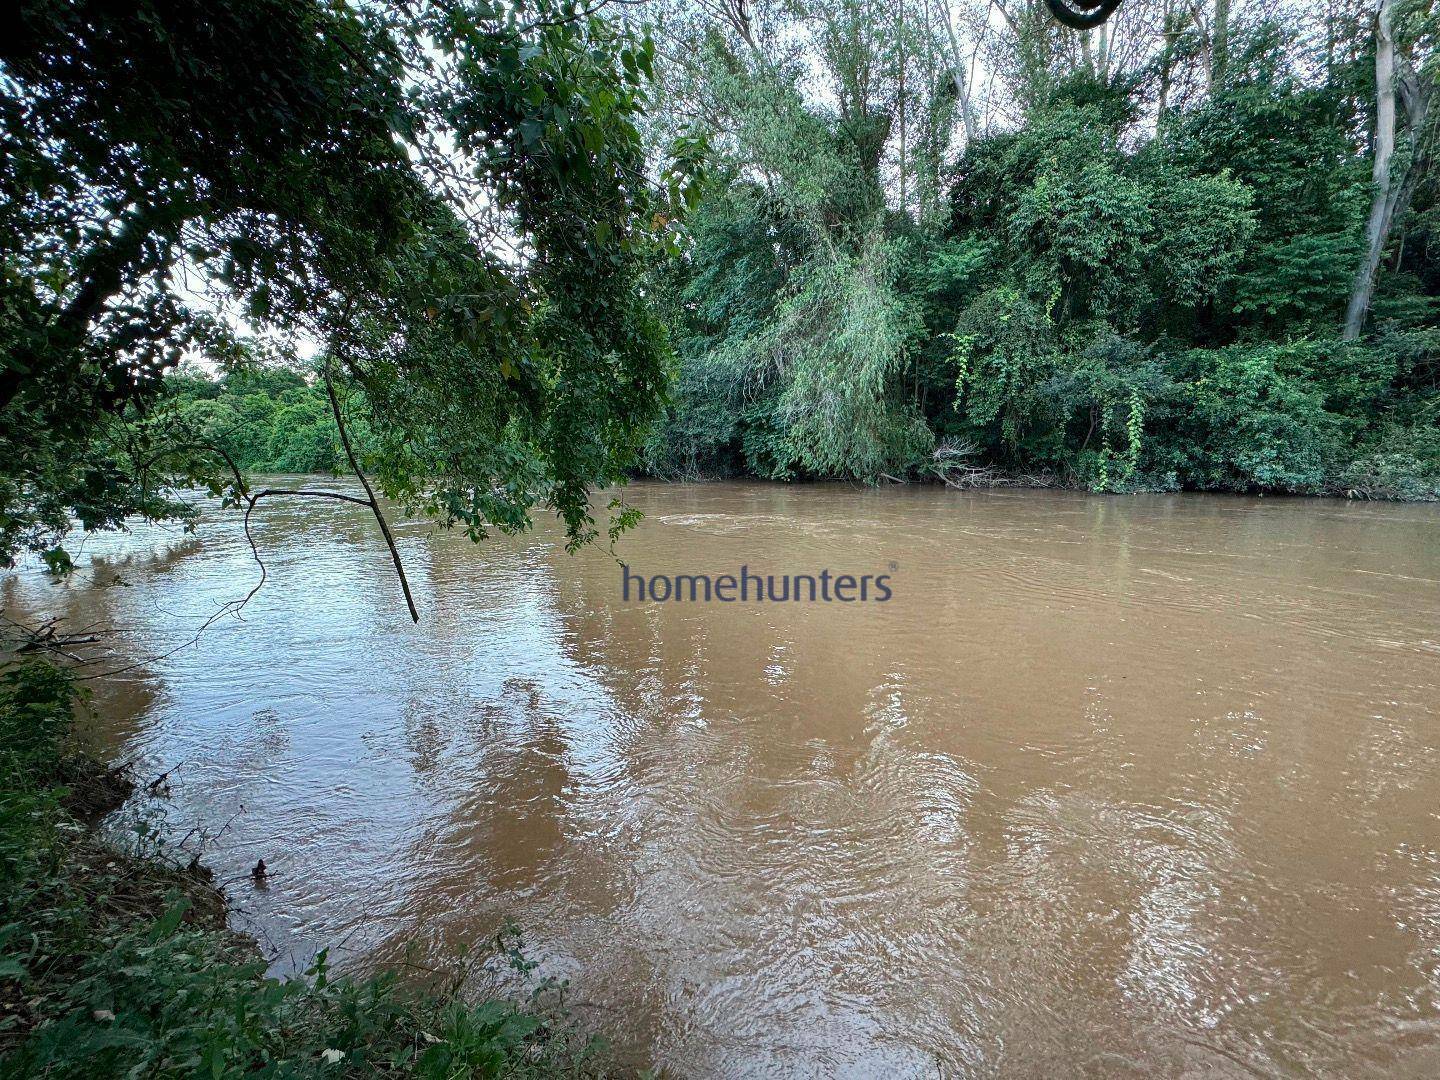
(793, 287)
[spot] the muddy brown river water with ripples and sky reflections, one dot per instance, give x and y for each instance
(1110, 787)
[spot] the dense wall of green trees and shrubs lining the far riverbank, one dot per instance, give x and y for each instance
(1131, 273)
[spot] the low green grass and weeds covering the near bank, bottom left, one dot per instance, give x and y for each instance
(120, 964)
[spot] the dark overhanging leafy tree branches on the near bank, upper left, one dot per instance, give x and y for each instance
(450, 202)
